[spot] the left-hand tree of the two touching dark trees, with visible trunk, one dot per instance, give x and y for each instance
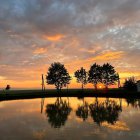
(94, 75)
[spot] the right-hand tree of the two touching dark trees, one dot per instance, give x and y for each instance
(108, 75)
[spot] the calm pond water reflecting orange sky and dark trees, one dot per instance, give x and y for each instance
(70, 119)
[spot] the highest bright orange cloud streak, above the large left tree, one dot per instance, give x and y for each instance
(57, 37)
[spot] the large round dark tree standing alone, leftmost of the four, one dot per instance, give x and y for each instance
(57, 75)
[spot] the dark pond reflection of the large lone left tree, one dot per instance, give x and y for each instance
(58, 113)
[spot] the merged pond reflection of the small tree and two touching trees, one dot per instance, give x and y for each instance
(106, 111)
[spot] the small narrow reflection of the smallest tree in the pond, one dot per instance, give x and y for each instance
(83, 111)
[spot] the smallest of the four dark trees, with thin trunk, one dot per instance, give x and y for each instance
(81, 76)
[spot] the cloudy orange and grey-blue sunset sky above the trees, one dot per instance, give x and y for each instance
(36, 33)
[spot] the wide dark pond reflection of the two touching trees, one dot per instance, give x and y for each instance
(107, 111)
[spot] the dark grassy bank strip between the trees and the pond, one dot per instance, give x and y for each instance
(29, 94)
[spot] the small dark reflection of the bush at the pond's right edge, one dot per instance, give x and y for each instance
(133, 102)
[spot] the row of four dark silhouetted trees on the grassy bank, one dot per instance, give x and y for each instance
(59, 76)
